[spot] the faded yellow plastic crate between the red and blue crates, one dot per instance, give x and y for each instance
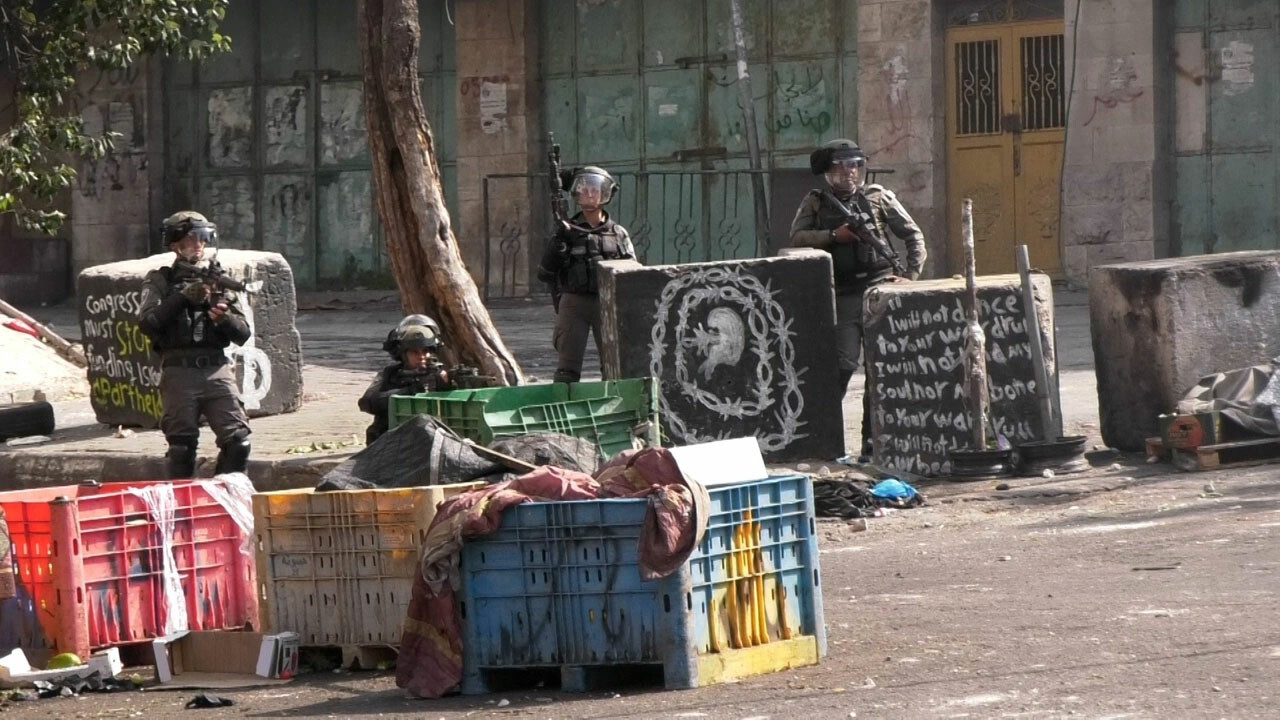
(339, 568)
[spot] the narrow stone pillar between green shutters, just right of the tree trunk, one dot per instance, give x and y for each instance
(499, 133)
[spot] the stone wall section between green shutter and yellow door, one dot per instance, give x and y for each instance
(900, 111)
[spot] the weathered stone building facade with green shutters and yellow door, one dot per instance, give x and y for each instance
(1092, 131)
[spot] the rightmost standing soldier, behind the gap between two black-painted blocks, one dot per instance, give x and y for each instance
(849, 220)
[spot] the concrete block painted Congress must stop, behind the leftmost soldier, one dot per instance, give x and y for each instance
(125, 372)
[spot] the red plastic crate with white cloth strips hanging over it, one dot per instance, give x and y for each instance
(92, 567)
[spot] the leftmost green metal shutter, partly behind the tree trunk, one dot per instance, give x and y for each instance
(271, 142)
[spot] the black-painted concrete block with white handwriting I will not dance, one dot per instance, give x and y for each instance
(916, 367)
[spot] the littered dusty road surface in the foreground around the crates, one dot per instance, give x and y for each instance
(1130, 593)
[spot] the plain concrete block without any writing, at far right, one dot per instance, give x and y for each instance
(1160, 326)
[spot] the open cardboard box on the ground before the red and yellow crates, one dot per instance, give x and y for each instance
(217, 659)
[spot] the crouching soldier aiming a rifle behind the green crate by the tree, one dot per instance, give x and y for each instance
(413, 345)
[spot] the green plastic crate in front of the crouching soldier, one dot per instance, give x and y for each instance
(606, 413)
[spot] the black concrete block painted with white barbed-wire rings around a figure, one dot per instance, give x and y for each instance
(742, 348)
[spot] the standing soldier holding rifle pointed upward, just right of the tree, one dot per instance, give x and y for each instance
(569, 266)
